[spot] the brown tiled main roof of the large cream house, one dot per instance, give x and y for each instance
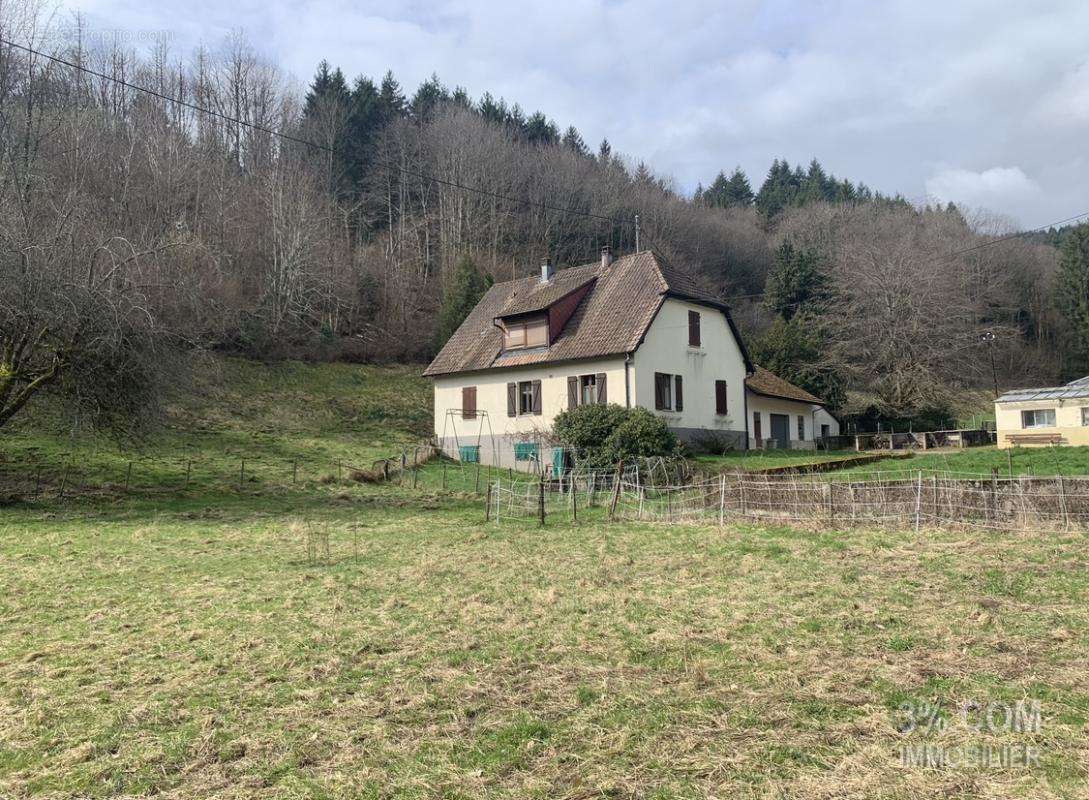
(611, 319)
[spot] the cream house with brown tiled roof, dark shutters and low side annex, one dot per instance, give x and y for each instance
(631, 331)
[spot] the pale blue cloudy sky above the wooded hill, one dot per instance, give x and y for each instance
(985, 103)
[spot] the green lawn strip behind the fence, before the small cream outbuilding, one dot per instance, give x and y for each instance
(982, 461)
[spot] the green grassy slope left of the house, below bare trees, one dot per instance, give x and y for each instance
(288, 422)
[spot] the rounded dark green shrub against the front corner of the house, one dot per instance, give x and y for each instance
(605, 435)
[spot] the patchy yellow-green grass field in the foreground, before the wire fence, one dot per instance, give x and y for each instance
(192, 649)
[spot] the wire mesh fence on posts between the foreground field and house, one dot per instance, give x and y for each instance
(1027, 503)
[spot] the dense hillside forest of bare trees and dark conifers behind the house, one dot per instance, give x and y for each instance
(359, 220)
